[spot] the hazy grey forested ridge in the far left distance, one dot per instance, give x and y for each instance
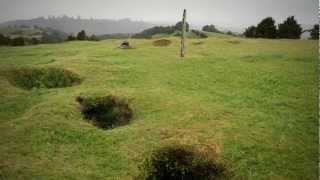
(91, 26)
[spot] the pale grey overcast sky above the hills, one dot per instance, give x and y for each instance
(239, 13)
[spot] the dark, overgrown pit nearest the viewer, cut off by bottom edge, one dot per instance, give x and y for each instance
(177, 162)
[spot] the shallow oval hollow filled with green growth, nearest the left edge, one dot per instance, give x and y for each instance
(28, 78)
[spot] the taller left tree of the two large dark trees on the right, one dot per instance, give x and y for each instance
(267, 28)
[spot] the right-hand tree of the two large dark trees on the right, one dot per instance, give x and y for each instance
(289, 29)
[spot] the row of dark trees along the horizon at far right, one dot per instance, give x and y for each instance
(288, 29)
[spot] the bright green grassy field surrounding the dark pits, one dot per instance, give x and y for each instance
(254, 100)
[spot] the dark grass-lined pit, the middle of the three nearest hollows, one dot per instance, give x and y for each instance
(106, 112)
